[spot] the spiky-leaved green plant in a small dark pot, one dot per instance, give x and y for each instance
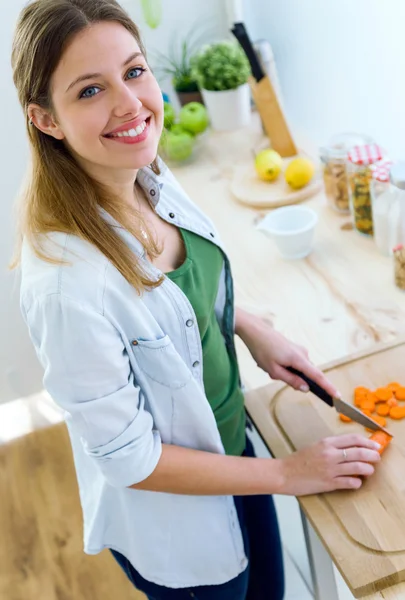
(176, 64)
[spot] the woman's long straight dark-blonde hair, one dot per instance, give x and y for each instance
(60, 195)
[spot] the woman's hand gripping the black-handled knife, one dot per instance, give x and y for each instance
(273, 353)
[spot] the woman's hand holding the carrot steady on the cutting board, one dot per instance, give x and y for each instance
(335, 463)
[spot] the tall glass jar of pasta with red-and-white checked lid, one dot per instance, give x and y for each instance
(361, 159)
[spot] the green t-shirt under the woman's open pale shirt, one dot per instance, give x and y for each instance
(198, 277)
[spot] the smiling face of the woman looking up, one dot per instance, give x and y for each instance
(108, 105)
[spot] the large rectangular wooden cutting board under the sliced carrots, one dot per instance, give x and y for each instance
(363, 530)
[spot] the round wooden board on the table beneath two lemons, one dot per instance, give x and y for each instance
(250, 190)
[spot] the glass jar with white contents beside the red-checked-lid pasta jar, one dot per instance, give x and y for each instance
(385, 202)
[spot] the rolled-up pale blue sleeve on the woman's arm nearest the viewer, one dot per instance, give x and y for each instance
(88, 374)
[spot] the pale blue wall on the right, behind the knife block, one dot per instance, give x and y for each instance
(341, 64)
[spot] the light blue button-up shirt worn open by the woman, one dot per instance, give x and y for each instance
(127, 370)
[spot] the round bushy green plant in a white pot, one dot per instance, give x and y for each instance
(222, 71)
